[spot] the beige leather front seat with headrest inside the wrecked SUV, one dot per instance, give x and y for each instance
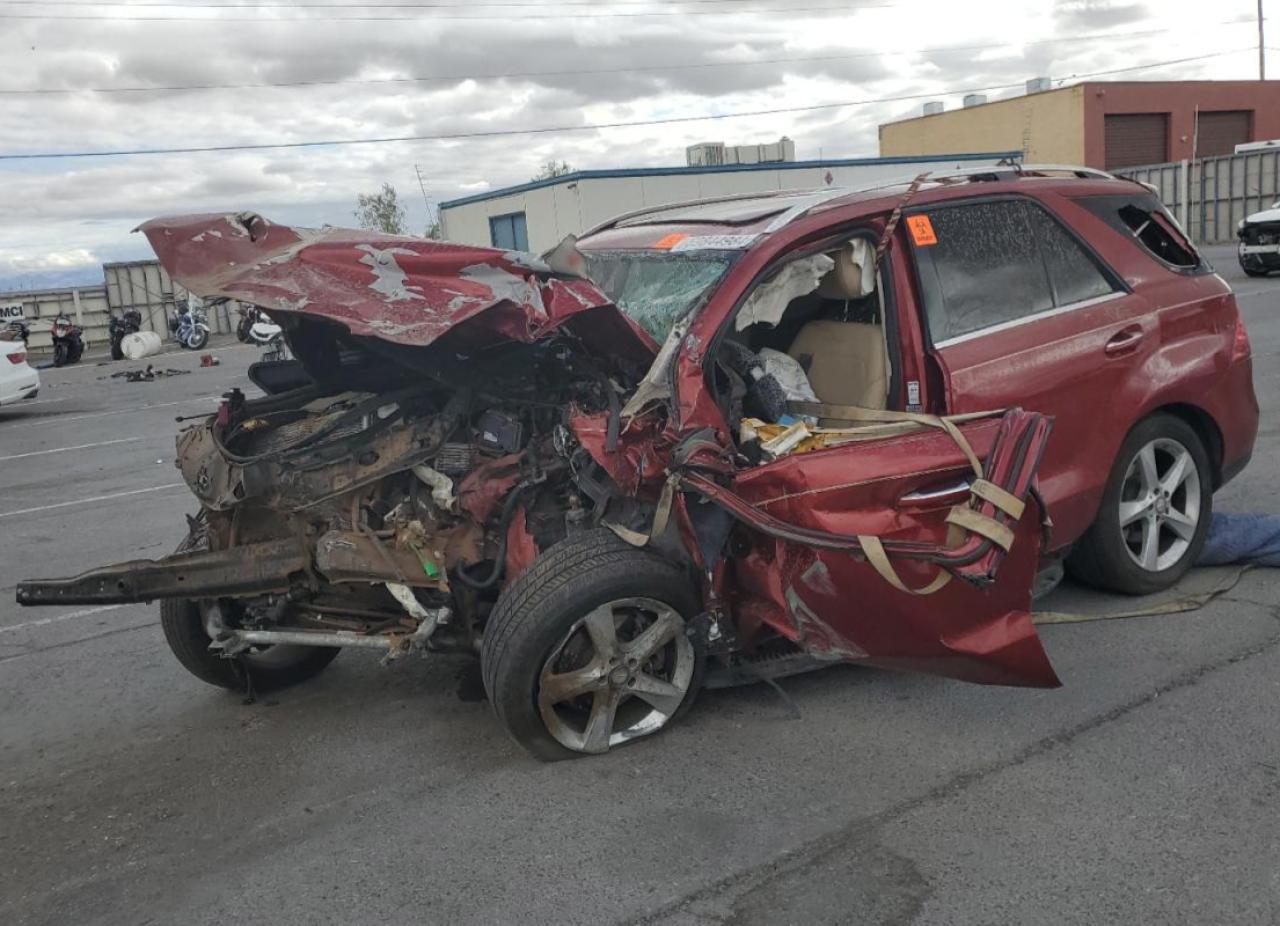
(847, 362)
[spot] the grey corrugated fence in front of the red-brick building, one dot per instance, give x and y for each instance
(1212, 195)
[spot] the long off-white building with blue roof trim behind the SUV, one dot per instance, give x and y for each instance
(538, 216)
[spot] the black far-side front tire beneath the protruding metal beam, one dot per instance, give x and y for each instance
(272, 669)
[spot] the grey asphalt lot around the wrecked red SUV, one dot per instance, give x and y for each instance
(1145, 791)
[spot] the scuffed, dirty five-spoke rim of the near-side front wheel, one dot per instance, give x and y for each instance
(620, 673)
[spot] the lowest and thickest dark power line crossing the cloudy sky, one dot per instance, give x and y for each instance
(552, 130)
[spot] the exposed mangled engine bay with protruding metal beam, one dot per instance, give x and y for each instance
(376, 513)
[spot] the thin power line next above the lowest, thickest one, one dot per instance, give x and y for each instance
(583, 72)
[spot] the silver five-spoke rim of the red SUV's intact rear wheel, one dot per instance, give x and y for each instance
(1160, 505)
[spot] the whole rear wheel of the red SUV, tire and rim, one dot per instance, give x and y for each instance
(1116, 558)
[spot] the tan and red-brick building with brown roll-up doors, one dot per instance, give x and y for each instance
(1099, 125)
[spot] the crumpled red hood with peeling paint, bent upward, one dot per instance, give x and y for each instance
(399, 289)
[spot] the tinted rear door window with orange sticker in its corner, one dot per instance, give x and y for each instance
(1000, 262)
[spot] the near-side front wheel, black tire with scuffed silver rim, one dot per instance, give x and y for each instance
(545, 617)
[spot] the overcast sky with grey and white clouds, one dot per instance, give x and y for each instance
(109, 77)
